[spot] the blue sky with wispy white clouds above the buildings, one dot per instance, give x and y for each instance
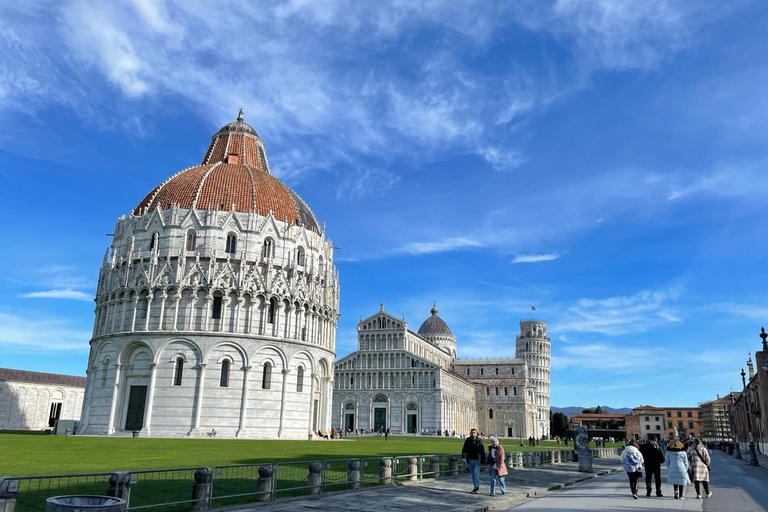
(604, 161)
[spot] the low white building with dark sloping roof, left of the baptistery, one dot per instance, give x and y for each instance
(34, 400)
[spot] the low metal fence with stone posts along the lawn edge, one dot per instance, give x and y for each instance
(186, 489)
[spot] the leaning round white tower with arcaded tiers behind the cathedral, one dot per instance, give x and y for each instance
(533, 345)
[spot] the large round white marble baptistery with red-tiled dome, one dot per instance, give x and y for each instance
(216, 307)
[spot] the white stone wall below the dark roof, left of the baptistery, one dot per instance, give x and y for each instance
(26, 406)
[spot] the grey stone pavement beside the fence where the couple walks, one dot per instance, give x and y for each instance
(450, 493)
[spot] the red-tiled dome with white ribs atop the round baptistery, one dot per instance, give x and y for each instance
(234, 175)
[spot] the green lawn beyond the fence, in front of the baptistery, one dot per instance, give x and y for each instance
(27, 455)
